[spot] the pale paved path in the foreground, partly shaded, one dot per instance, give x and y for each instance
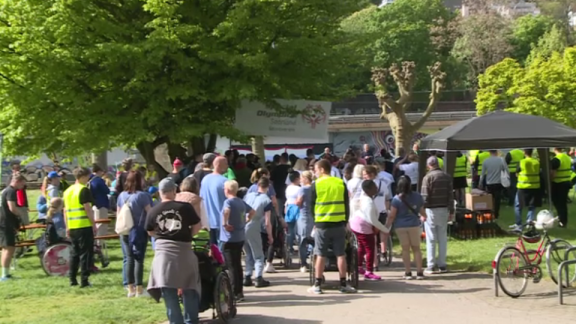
(443, 299)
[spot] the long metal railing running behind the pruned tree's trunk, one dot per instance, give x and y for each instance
(412, 117)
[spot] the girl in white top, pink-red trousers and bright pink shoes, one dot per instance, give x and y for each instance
(363, 220)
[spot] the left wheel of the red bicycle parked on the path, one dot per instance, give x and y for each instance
(512, 264)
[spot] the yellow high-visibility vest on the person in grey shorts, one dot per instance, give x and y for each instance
(329, 206)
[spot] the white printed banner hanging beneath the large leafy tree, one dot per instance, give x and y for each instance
(254, 118)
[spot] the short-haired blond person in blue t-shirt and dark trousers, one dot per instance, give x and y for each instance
(232, 234)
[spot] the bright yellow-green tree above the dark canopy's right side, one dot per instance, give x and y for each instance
(546, 87)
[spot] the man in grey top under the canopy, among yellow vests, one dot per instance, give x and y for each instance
(490, 179)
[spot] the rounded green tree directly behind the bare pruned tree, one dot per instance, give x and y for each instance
(399, 32)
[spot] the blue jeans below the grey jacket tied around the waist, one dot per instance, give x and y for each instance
(191, 302)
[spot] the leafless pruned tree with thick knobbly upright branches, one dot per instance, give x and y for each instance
(394, 110)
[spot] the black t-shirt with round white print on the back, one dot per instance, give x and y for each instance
(172, 220)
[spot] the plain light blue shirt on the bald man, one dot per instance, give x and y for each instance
(212, 191)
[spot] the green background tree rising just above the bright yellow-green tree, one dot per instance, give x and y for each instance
(526, 32)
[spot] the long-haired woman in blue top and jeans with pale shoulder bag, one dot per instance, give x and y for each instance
(140, 203)
